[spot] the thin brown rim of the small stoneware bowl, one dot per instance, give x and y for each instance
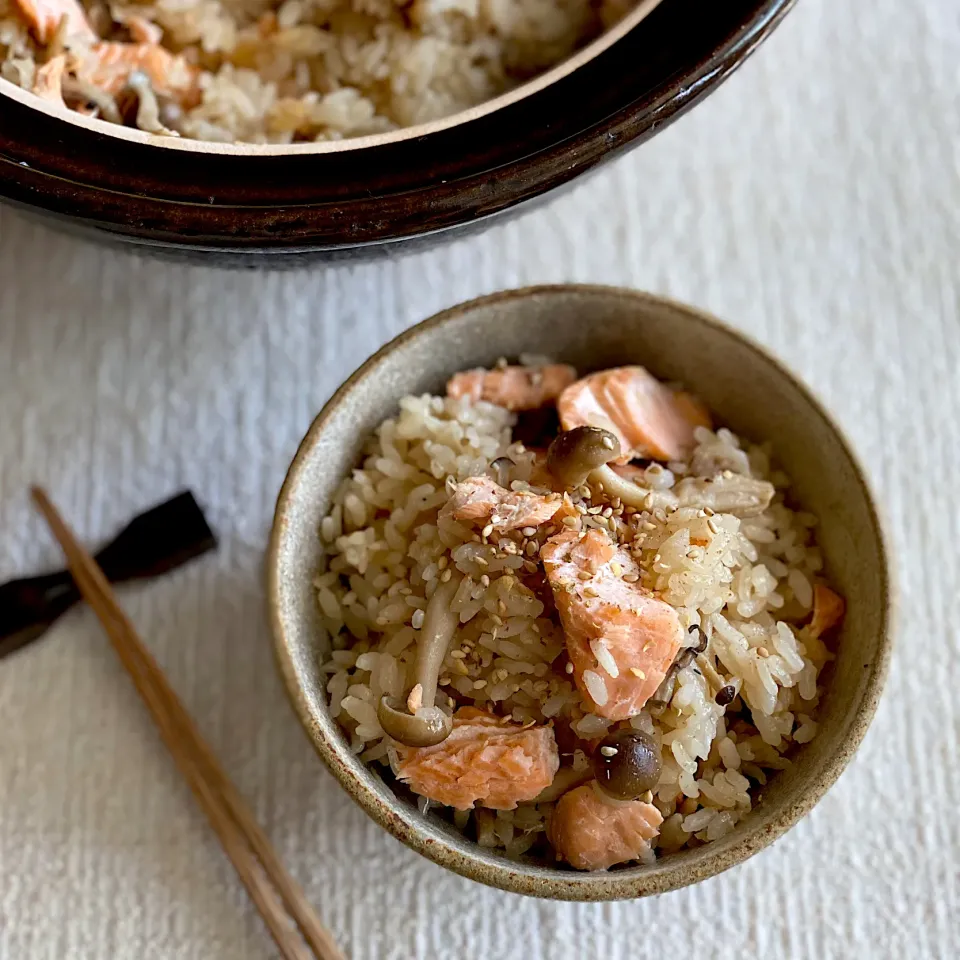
(519, 877)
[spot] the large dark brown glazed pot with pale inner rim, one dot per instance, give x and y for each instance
(262, 204)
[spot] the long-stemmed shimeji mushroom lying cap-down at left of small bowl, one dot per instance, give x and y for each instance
(422, 724)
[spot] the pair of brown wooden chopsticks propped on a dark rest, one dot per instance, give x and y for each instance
(274, 892)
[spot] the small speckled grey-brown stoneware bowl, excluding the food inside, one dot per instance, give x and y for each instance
(746, 389)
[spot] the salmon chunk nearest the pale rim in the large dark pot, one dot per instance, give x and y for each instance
(110, 64)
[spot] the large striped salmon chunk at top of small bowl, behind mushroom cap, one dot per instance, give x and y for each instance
(649, 419)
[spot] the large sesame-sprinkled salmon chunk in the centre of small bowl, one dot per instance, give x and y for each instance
(620, 639)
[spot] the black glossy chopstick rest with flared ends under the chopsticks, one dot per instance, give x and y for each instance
(160, 540)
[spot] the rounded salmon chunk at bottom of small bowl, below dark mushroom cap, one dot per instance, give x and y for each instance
(593, 834)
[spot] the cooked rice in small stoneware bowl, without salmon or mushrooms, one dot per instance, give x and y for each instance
(747, 584)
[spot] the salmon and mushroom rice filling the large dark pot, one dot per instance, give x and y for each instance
(265, 71)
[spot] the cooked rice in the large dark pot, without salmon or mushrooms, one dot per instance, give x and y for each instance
(306, 70)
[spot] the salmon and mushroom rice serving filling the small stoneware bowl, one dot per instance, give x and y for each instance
(572, 616)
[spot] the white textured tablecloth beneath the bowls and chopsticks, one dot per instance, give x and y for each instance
(814, 201)
